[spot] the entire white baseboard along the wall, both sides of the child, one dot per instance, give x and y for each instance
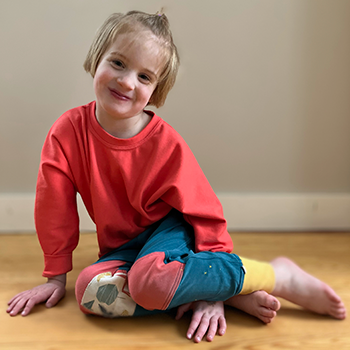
(246, 212)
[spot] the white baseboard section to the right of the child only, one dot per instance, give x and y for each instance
(287, 212)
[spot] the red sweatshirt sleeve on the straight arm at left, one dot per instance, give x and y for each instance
(56, 216)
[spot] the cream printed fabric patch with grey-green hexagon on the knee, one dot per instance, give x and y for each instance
(108, 295)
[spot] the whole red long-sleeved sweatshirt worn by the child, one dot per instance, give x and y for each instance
(126, 185)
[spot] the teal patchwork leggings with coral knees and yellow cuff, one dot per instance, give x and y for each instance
(158, 270)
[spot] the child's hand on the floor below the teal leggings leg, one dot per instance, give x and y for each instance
(208, 317)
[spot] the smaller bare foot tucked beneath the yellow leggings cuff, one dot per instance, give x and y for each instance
(259, 304)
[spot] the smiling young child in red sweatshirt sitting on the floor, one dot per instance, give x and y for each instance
(161, 232)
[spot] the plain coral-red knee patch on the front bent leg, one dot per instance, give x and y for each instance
(153, 282)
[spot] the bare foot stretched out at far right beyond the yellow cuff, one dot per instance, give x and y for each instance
(297, 286)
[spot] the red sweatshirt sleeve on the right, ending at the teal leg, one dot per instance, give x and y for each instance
(187, 189)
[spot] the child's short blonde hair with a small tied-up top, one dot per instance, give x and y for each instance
(119, 23)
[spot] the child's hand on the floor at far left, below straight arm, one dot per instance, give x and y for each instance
(51, 292)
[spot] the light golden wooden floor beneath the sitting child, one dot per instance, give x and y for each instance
(326, 255)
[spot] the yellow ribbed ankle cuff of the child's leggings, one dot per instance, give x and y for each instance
(258, 276)
